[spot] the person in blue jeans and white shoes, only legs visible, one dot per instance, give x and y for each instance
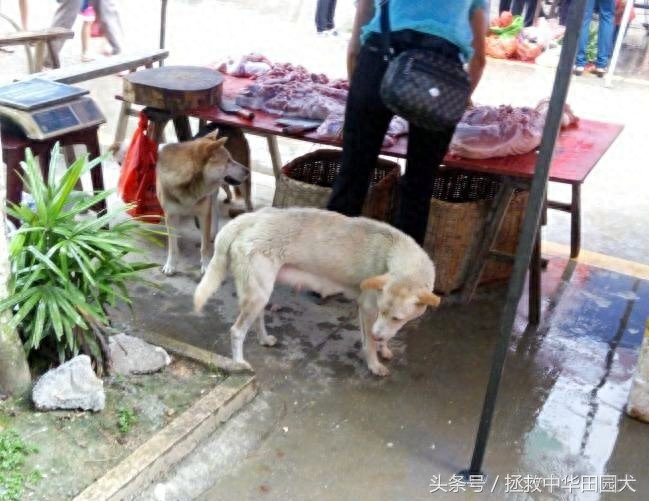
(606, 14)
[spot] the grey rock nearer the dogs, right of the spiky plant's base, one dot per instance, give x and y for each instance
(132, 355)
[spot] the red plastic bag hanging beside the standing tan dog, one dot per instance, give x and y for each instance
(136, 182)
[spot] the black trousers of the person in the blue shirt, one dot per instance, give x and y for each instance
(366, 122)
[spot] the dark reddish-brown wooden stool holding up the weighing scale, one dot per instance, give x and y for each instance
(13, 152)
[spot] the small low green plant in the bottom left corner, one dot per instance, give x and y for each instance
(13, 451)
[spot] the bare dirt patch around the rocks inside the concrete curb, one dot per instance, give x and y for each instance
(75, 448)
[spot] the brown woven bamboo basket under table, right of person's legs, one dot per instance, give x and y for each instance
(458, 211)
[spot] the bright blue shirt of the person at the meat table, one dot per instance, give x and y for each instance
(448, 19)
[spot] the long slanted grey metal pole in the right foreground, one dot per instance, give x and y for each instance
(531, 223)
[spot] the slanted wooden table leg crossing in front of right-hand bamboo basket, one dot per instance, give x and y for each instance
(492, 225)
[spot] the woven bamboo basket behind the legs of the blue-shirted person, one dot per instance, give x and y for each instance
(307, 180)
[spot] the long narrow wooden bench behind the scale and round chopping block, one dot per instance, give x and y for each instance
(108, 66)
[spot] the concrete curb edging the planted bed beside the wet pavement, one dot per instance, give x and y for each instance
(176, 440)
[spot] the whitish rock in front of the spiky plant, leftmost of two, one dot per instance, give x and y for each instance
(72, 385)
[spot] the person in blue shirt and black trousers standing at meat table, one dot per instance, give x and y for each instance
(456, 30)
